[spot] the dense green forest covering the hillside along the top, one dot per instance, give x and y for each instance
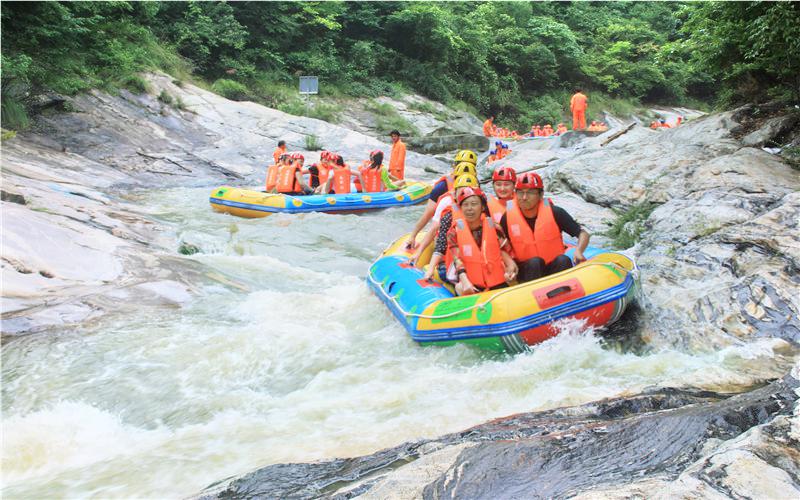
(517, 60)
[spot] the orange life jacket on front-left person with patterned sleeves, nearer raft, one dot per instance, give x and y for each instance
(484, 265)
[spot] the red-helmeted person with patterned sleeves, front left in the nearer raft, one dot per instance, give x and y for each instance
(479, 248)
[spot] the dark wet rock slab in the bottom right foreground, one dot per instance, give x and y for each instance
(610, 448)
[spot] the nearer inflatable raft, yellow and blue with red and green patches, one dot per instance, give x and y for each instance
(509, 319)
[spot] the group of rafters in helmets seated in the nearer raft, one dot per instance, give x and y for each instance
(486, 242)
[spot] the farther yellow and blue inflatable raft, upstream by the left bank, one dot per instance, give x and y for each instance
(249, 203)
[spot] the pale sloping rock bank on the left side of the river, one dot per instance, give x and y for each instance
(76, 248)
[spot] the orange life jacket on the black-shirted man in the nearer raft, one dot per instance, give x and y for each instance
(544, 241)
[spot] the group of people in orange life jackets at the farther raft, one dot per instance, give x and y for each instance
(331, 175)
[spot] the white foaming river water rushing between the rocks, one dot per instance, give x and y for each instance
(285, 356)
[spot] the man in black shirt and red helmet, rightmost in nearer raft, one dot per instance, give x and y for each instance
(534, 226)
